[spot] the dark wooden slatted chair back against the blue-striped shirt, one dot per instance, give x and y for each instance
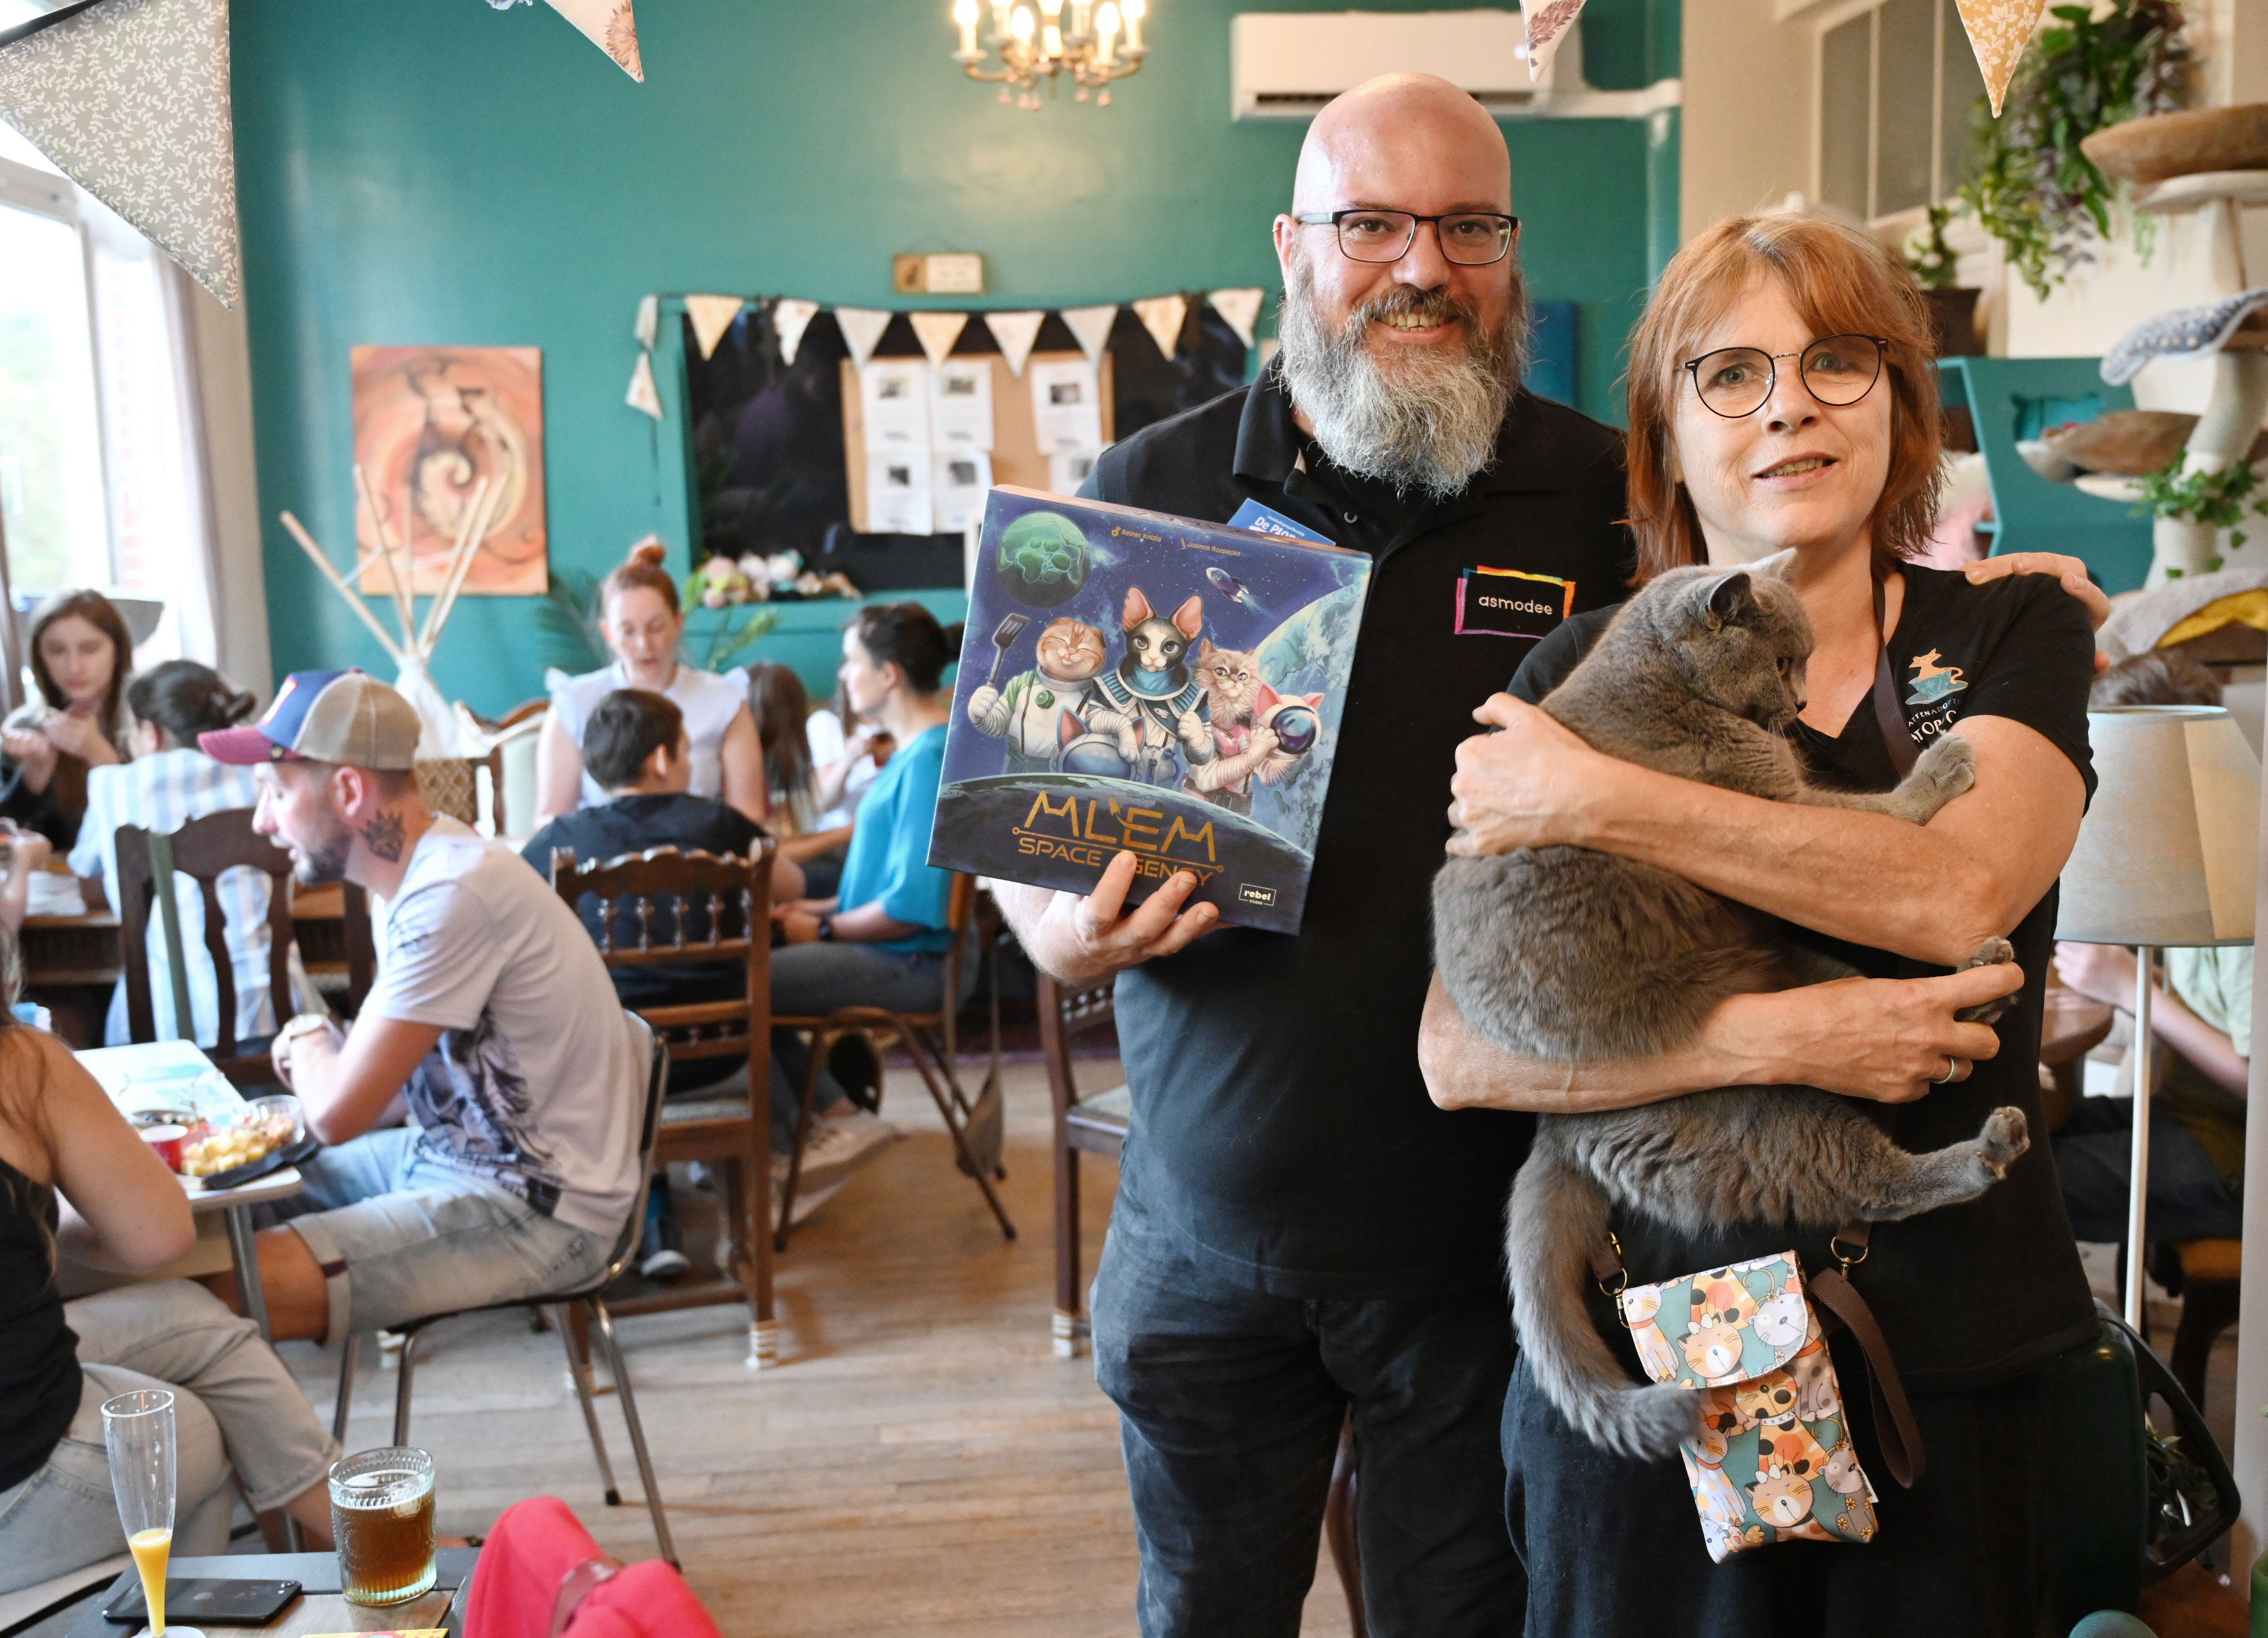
(203, 850)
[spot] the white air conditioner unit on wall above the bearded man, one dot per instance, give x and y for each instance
(1287, 65)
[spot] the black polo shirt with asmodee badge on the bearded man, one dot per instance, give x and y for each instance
(1280, 1120)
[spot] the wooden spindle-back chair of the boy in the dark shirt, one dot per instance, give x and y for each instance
(731, 1129)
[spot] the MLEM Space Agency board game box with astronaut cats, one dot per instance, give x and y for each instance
(1146, 684)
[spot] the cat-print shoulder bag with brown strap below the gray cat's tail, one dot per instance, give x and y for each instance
(1775, 1458)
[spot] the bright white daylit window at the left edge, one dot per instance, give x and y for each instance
(99, 480)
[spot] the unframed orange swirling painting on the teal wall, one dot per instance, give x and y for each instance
(430, 423)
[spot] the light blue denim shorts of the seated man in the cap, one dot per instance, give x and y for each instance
(403, 1238)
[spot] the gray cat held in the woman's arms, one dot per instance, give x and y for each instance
(1568, 954)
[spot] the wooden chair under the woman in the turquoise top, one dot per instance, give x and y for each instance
(933, 1042)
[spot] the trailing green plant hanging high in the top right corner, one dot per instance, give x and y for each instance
(2029, 183)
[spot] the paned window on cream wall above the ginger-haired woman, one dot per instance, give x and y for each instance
(1897, 83)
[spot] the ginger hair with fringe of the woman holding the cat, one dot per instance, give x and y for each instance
(1843, 285)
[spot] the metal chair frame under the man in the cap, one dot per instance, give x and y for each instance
(559, 1306)
